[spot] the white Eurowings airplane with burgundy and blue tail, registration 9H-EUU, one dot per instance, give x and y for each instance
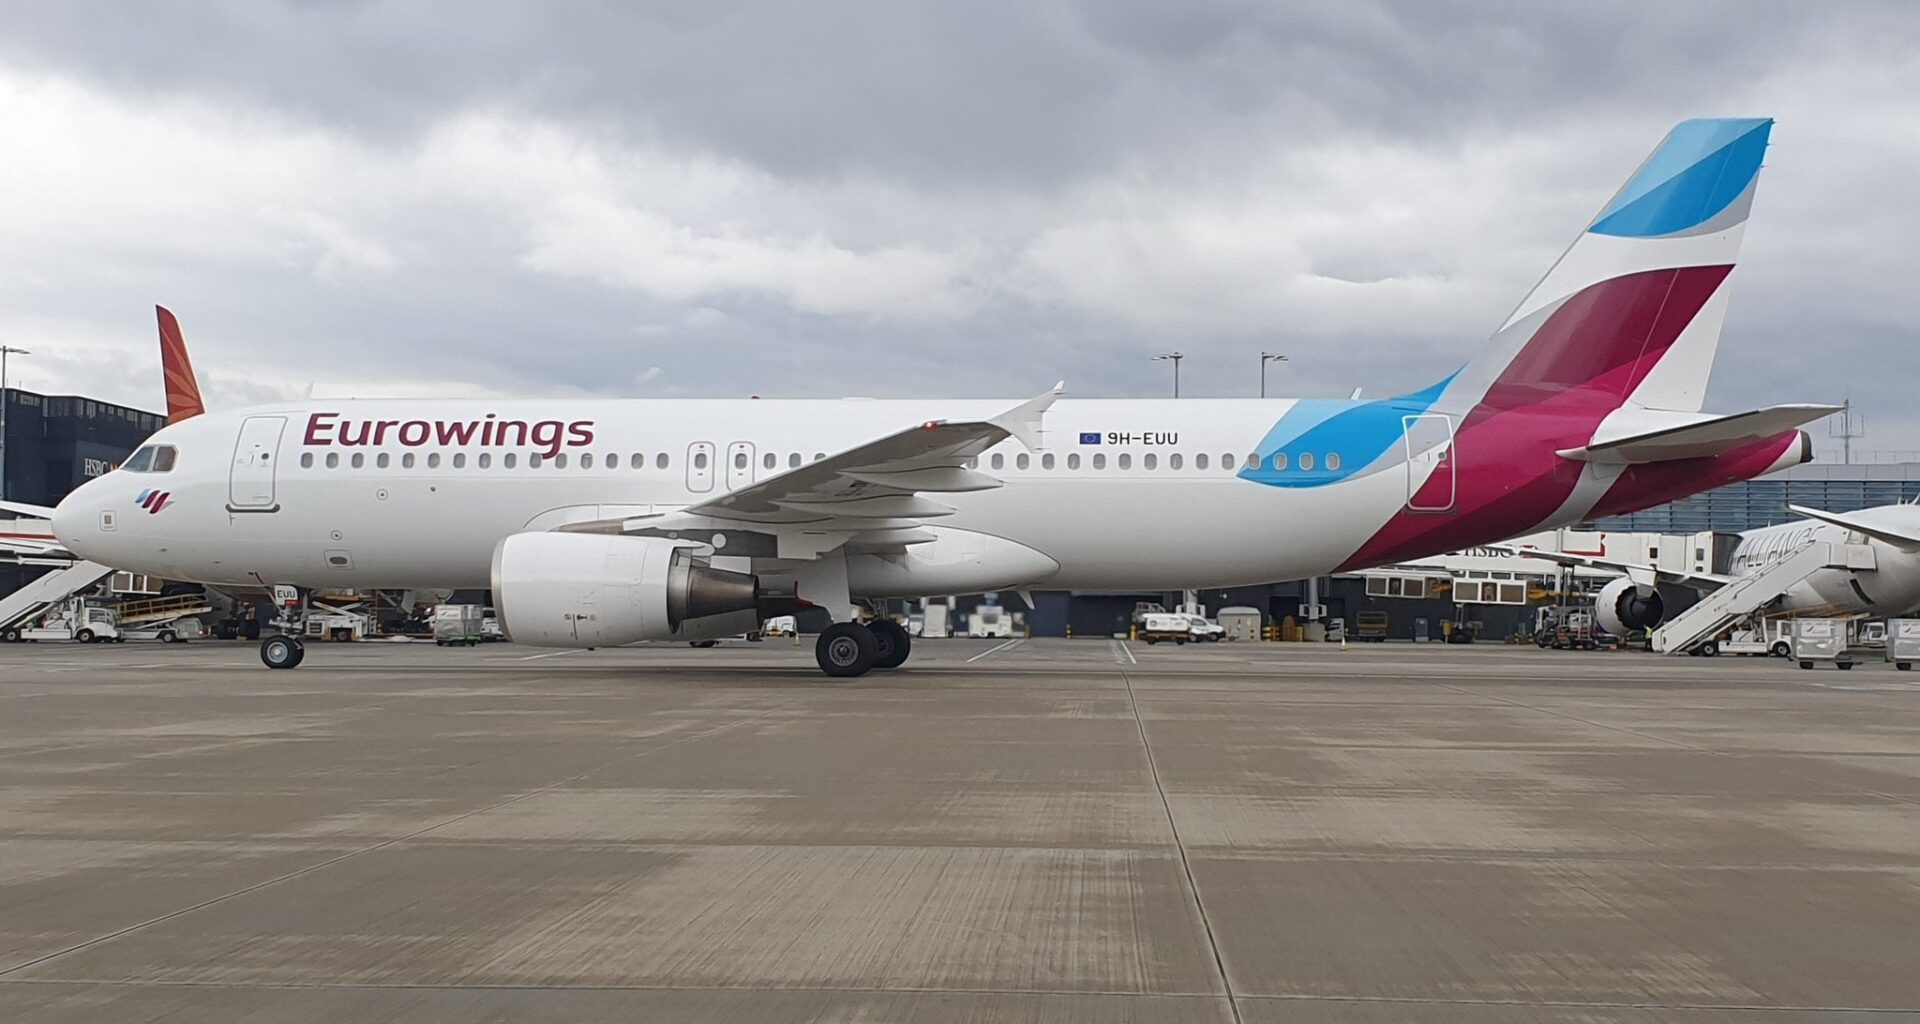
(613, 522)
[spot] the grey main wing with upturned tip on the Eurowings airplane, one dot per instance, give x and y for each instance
(871, 497)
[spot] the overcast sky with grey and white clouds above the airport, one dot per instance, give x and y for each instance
(955, 199)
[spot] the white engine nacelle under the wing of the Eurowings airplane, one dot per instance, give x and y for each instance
(592, 591)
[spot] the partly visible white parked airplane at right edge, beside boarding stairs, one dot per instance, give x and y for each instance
(1635, 602)
